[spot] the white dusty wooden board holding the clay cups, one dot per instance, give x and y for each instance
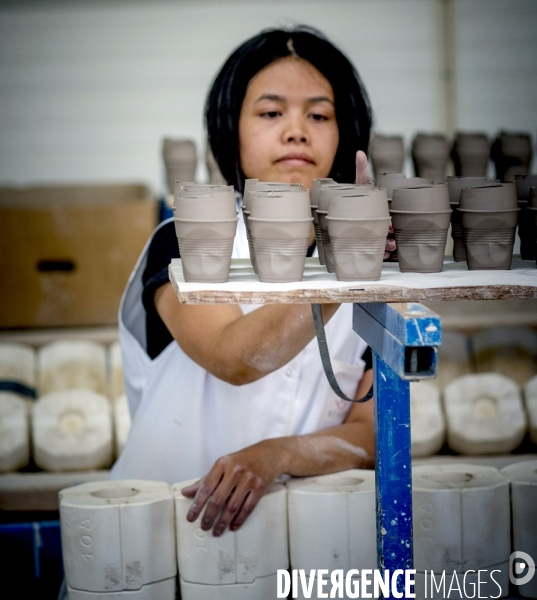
(455, 282)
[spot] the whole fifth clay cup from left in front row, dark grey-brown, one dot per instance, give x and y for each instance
(489, 219)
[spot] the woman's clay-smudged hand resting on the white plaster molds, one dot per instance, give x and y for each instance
(234, 486)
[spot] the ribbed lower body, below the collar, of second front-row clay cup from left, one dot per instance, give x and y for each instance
(280, 248)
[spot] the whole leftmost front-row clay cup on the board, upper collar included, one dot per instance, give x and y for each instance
(205, 219)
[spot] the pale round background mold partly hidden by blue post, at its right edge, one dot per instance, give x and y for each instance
(428, 426)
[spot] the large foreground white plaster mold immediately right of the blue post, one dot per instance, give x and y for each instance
(461, 520)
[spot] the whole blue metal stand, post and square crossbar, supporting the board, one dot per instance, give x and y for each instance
(404, 340)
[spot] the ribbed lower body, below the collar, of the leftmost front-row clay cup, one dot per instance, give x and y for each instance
(206, 248)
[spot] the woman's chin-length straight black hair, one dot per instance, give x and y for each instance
(224, 102)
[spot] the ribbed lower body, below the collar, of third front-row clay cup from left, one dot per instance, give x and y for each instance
(358, 246)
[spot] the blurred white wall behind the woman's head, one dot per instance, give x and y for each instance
(87, 89)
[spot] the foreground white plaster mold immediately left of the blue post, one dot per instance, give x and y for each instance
(332, 523)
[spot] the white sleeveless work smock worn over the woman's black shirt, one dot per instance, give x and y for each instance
(184, 419)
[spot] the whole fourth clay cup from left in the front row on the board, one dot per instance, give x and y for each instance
(421, 216)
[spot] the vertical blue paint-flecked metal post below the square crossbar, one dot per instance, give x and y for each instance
(392, 469)
